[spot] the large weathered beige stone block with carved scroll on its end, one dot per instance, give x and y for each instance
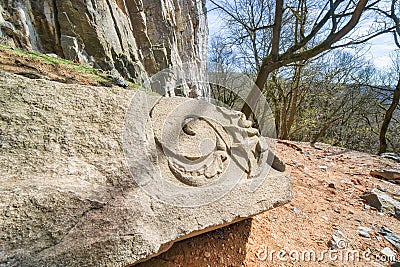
(70, 195)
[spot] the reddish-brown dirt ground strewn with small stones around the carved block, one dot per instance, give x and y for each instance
(305, 224)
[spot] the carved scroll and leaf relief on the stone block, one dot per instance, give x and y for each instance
(198, 147)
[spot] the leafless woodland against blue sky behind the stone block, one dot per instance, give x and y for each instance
(308, 58)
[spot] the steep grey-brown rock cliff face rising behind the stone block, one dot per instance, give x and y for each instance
(135, 37)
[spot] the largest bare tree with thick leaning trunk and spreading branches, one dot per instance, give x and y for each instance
(298, 30)
